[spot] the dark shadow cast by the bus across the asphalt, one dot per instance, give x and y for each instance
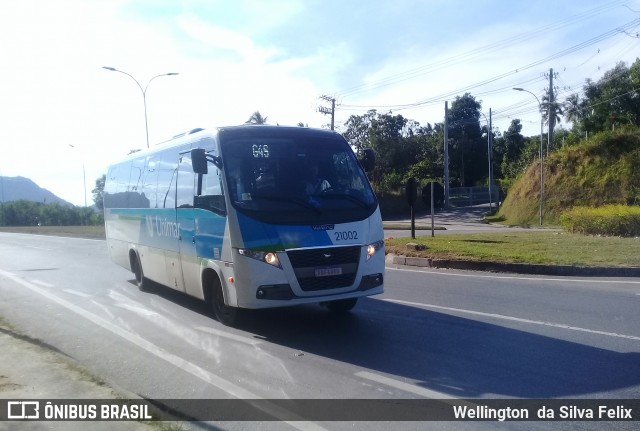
(456, 356)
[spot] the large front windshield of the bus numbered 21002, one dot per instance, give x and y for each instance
(296, 180)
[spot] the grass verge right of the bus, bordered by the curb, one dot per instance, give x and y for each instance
(551, 248)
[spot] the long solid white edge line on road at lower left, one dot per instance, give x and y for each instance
(181, 363)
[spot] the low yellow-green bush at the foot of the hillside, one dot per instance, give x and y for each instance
(609, 220)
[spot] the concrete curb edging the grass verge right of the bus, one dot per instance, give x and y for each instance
(518, 268)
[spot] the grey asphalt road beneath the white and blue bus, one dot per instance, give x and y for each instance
(433, 334)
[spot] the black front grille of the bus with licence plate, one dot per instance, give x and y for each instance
(325, 268)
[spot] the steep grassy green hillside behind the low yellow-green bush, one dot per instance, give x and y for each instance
(603, 170)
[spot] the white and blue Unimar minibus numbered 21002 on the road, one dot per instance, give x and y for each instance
(249, 217)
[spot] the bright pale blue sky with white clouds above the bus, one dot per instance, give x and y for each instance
(63, 117)
